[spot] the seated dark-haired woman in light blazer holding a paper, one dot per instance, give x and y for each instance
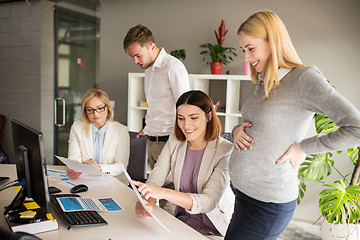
(195, 159)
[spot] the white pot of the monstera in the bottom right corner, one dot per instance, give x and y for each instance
(340, 231)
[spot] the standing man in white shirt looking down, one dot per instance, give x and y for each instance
(166, 78)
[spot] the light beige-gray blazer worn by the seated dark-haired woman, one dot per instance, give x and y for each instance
(214, 197)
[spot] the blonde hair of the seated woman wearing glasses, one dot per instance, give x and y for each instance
(89, 94)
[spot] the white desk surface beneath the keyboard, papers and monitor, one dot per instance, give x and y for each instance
(124, 224)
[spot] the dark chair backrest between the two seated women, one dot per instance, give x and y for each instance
(137, 167)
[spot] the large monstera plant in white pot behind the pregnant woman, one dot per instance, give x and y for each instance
(339, 203)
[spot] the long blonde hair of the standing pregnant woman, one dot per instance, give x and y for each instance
(267, 25)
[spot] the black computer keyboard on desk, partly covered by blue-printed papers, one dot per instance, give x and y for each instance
(78, 218)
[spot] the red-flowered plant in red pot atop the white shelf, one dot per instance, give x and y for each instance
(218, 54)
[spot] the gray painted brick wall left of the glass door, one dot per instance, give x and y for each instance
(27, 69)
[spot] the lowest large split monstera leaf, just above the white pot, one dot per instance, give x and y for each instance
(340, 204)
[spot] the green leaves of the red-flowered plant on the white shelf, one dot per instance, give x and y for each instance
(217, 53)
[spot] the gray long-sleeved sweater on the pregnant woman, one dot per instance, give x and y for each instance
(283, 120)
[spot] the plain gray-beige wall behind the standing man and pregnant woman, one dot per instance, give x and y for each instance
(325, 33)
